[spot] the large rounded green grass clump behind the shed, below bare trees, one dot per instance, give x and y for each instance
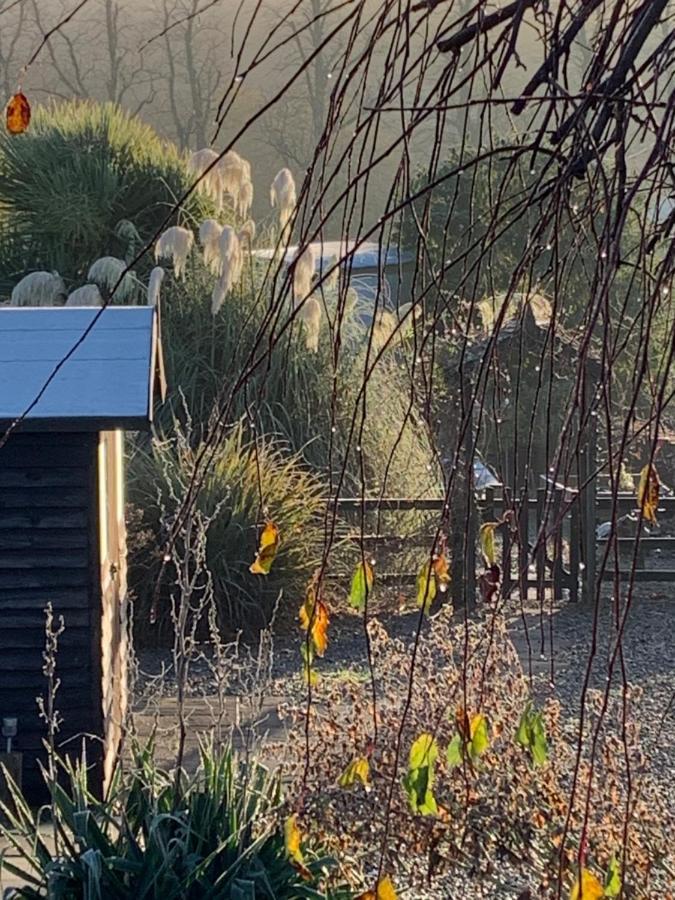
(66, 184)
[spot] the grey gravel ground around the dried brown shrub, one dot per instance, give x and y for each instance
(649, 659)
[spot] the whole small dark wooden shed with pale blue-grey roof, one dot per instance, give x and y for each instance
(62, 530)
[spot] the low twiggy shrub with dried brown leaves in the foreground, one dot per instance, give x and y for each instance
(499, 804)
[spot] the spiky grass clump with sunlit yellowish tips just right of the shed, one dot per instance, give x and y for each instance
(243, 485)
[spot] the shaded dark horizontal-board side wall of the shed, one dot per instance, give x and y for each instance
(48, 546)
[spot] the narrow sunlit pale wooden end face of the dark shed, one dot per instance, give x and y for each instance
(113, 595)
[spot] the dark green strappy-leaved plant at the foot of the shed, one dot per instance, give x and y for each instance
(215, 834)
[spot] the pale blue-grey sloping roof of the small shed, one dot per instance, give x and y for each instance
(108, 382)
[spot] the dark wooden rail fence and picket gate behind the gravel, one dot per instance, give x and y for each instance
(566, 563)
